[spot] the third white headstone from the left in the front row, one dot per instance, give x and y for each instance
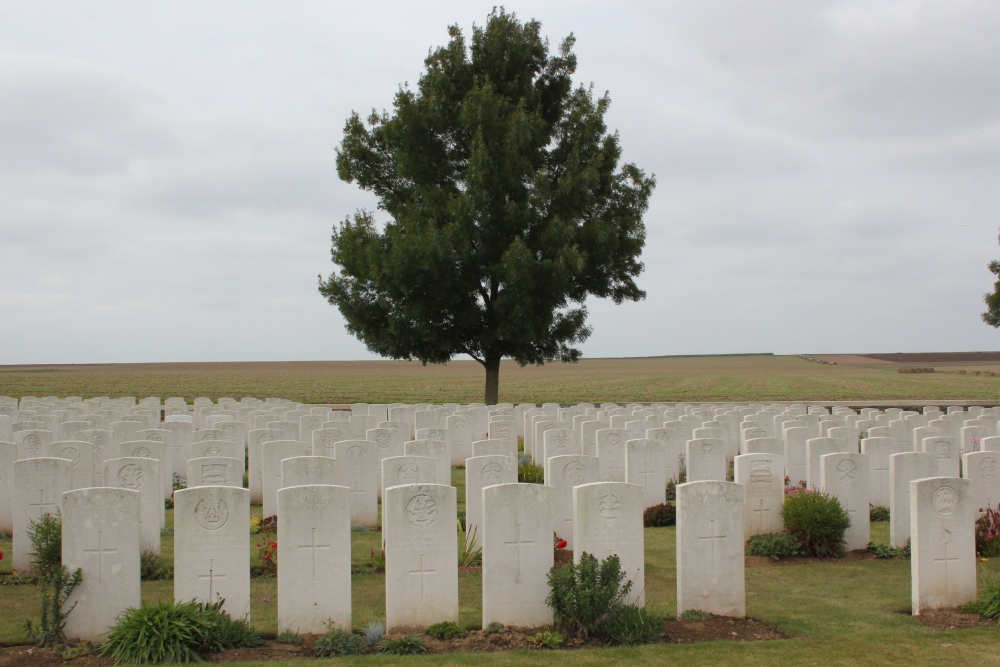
(314, 558)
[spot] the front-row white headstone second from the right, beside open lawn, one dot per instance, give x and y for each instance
(710, 548)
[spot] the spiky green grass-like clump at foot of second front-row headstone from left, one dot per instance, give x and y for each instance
(165, 632)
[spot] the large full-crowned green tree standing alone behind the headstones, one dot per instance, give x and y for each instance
(507, 207)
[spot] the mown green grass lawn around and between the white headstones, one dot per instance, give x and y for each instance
(845, 612)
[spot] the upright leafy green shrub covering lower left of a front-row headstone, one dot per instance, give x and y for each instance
(582, 595)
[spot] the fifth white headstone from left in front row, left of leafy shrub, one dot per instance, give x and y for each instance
(517, 554)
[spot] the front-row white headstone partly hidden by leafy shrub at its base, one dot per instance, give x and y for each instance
(607, 520)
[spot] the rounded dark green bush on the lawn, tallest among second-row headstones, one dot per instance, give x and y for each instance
(818, 521)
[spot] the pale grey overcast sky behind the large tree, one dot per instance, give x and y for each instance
(828, 172)
